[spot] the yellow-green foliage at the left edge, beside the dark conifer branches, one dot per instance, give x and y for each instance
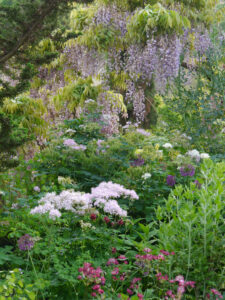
(30, 112)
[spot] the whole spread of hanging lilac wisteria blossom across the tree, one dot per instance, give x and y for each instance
(156, 61)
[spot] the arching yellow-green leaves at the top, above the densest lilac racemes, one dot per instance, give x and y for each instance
(158, 18)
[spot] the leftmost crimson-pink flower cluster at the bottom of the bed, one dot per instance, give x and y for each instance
(92, 276)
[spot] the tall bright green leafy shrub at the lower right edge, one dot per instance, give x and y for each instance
(192, 225)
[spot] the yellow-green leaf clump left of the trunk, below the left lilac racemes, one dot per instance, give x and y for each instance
(75, 93)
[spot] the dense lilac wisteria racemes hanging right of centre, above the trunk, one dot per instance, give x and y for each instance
(158, 60)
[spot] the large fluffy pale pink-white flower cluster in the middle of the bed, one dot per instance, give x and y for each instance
(102, 196)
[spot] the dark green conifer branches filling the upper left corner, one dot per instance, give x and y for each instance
(23, 24)
